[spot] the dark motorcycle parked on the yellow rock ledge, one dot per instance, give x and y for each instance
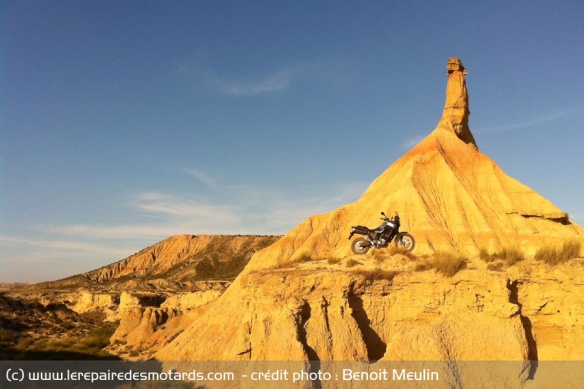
(381, 236)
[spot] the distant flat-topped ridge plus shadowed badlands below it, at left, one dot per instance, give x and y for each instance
(148, 291)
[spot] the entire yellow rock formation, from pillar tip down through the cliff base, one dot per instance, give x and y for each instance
(341, 307)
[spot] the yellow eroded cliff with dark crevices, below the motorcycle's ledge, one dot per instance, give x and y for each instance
(373, 313)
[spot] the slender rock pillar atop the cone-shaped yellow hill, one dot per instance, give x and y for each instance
(456, 109)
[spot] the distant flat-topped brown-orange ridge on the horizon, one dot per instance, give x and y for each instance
(181, 262)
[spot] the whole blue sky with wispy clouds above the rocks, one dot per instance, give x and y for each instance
(125, 122)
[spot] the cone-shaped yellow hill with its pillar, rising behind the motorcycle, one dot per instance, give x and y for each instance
(449, 195)
